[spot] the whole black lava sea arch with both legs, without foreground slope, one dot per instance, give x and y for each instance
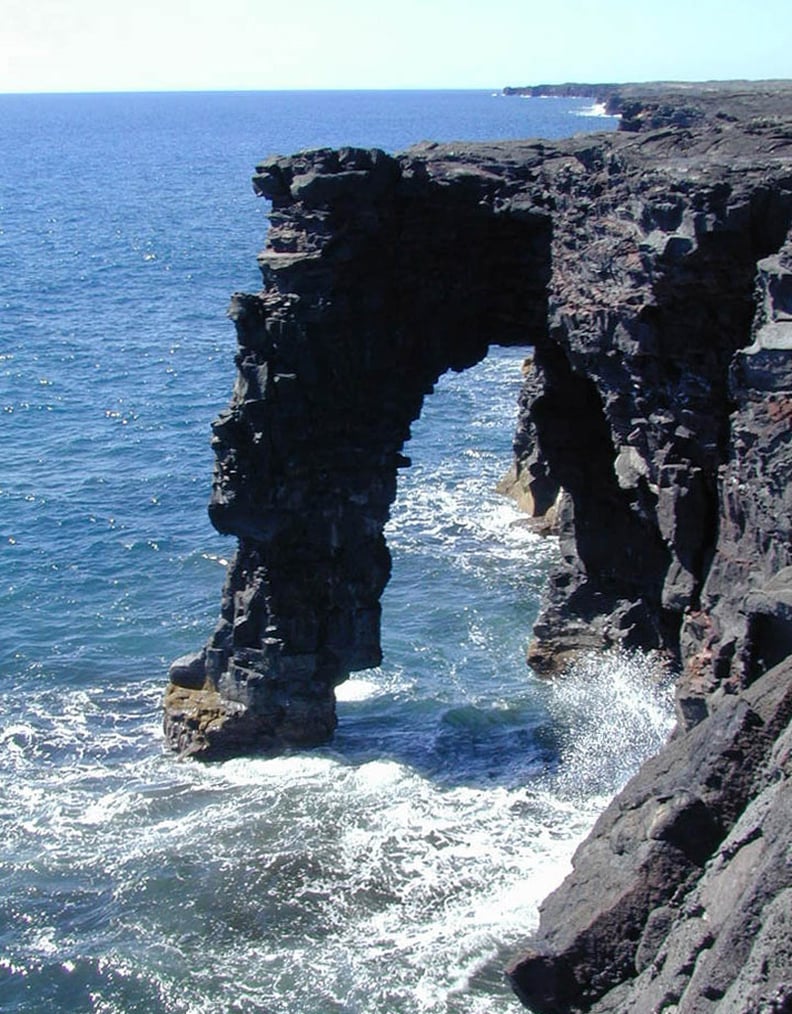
(629, 262)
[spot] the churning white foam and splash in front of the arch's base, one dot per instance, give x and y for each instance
(300, 880)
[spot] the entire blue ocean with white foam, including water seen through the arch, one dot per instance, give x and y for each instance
(394, 872)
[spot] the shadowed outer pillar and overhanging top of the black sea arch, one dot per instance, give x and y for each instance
(377, 283)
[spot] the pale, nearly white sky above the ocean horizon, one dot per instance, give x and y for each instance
(241, 45)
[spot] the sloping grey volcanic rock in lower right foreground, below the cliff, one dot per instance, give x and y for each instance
(646, 904)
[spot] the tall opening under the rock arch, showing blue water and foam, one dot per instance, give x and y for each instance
(453, 698)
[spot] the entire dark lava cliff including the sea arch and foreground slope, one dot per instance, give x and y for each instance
(653, 272)
